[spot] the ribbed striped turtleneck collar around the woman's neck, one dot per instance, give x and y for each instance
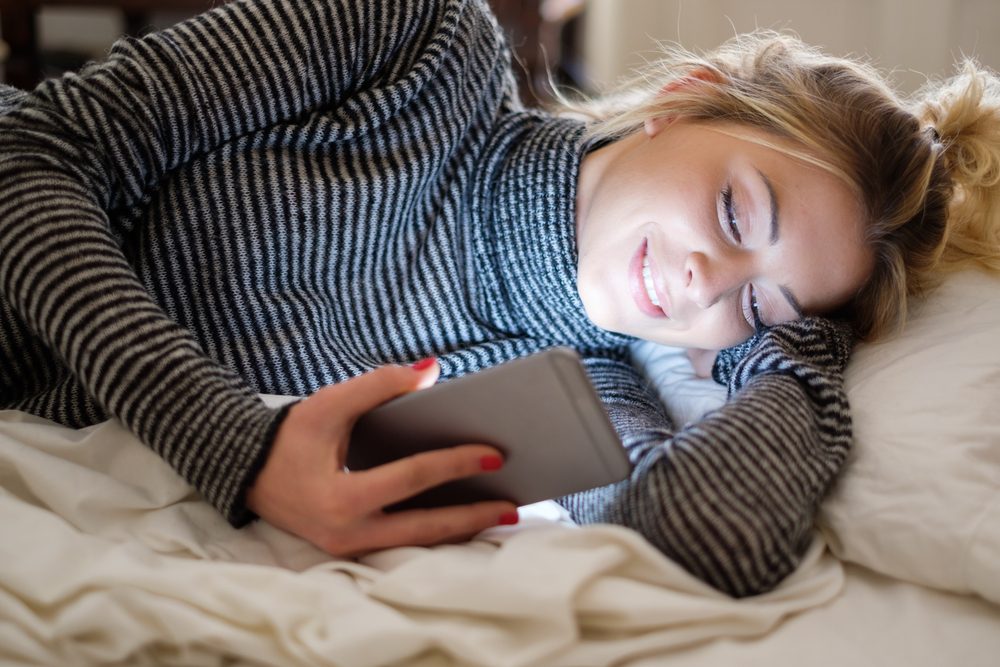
(523, 232)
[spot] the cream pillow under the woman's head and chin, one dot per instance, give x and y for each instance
(920, 497)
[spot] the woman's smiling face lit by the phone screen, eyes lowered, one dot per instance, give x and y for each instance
(688, 234)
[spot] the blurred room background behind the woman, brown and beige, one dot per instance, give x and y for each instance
(587, 44)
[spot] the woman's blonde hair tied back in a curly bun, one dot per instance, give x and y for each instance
(925, 169)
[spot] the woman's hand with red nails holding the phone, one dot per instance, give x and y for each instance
(304, 488)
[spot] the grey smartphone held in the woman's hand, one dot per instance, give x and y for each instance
(541, 411)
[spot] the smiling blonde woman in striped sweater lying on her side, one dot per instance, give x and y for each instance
(306, 197)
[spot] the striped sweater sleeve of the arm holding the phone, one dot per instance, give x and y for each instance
(83, 145)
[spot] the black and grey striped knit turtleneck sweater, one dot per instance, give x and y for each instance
(278, 195)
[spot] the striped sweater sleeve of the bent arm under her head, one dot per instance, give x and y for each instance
(732, 498)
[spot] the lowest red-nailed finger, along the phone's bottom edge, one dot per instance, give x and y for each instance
(431, 526)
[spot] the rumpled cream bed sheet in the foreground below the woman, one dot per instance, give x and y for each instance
(108, 557)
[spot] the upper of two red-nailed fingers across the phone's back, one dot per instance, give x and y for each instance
(398, 480)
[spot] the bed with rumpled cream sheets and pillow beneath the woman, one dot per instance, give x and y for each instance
(108, 557)
